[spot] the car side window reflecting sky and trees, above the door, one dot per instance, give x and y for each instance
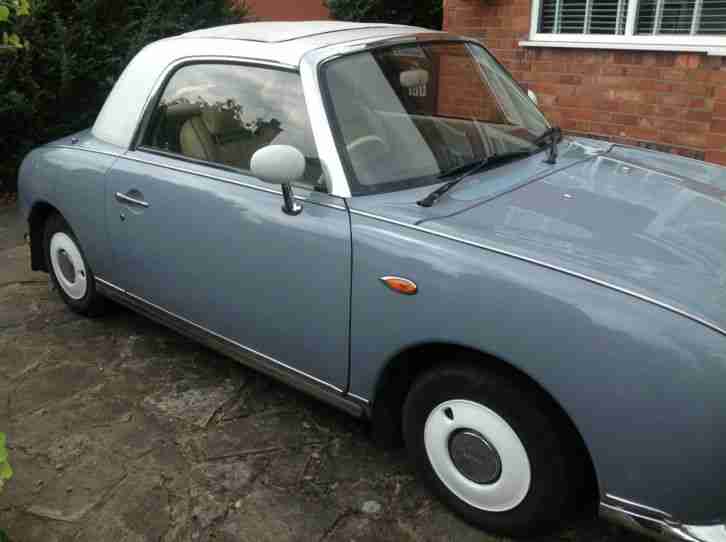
(224, 113)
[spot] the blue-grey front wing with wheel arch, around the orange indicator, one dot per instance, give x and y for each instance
(643, 386)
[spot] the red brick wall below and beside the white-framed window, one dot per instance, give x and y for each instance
(668, 101)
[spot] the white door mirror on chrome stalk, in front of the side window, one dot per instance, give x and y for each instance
(280, 165)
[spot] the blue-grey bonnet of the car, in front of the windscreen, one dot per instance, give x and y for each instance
(615, 221)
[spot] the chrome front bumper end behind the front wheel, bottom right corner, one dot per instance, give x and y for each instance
(656, 523)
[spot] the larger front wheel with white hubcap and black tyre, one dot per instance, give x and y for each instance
(493, 448)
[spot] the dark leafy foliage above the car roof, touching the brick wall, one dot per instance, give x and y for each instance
(427, 13)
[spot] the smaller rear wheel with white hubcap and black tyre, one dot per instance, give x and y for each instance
(68, 268)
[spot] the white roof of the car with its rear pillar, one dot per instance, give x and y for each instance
(284, 43)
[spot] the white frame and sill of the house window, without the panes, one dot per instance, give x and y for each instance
(712, 45)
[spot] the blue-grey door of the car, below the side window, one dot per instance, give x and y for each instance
(234, 273)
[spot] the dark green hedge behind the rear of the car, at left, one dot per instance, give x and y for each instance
(77, 48)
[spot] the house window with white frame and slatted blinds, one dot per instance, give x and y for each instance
(675, 25)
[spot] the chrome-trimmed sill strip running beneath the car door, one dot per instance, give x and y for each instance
(245, 355)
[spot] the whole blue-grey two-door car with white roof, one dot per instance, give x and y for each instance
(380, 216)
